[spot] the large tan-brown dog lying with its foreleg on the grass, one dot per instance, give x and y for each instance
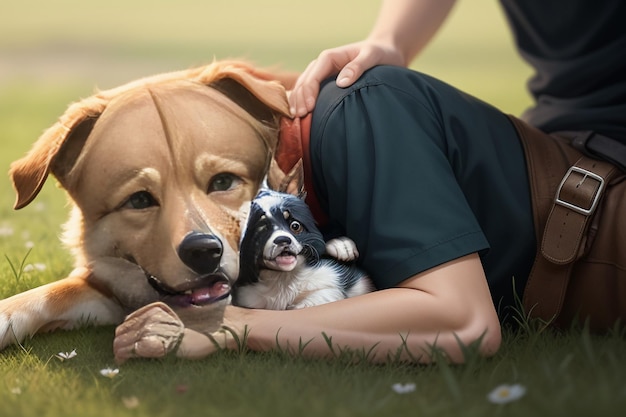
(160, 172)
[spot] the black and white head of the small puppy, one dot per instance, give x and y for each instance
(280, 233)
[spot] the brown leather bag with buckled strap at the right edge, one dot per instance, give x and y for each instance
(579, 210)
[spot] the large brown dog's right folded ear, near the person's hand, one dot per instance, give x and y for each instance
(261, 93)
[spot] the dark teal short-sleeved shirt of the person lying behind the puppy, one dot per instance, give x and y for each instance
(418, 174)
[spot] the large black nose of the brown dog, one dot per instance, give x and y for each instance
(201, 252)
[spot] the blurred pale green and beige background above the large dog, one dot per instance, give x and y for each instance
(88, 43)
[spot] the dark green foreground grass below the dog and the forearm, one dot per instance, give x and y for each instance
(572, 374)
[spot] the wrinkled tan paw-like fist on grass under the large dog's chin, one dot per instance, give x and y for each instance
(152, 331)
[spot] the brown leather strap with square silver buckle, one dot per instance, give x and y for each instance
(562, 229)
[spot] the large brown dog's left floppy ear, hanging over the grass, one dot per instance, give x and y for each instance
(56, 151)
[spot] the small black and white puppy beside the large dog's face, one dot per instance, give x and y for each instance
(285, 263)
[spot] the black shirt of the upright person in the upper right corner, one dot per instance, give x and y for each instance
(578, 51)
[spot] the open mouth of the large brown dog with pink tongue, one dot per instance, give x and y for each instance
(206, 290)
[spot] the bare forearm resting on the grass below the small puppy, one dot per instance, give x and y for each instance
(443, 308)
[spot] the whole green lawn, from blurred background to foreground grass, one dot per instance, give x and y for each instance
(52, 53)
